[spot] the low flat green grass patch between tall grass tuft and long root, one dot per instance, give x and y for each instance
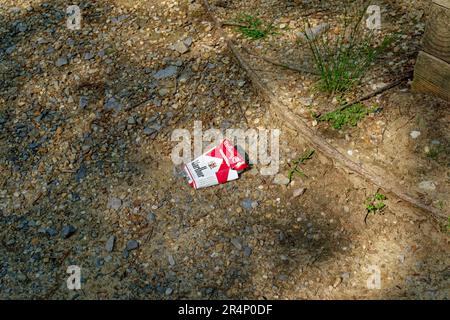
(348, 116)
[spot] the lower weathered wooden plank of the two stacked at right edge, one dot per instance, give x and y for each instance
(432, 76)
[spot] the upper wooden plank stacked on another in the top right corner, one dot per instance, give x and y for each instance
(436, 40)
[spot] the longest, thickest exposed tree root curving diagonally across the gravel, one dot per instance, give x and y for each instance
(384, 180)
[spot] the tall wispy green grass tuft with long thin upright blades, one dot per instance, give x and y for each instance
(343, 59)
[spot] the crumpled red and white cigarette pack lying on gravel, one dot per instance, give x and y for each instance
(219, 165)
